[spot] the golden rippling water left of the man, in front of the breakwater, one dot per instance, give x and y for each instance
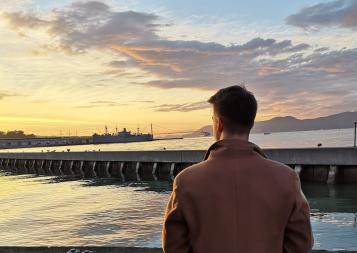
(35, 212)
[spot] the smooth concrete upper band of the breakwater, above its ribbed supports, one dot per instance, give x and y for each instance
(308, 156)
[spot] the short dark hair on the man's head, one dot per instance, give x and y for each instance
(236, 107)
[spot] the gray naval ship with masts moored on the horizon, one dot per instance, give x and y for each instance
(121, 137)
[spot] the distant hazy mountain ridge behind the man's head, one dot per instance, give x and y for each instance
(291, 124)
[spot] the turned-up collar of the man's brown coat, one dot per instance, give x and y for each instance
(233, 144)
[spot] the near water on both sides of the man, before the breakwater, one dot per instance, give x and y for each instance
(64, 211)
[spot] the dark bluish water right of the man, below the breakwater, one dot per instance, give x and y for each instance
(334, 215)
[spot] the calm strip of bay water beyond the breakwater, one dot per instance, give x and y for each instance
(328, 138)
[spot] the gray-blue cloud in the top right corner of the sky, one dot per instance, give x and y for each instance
(340, 13)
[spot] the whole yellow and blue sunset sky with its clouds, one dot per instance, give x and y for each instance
(78, 65)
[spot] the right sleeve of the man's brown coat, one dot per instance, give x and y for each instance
(298, 236)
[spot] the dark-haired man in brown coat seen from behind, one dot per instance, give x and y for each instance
(236, 200)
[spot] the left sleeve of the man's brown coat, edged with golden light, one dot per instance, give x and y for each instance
(175, 234)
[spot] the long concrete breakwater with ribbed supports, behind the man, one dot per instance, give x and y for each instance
(328, 165)
